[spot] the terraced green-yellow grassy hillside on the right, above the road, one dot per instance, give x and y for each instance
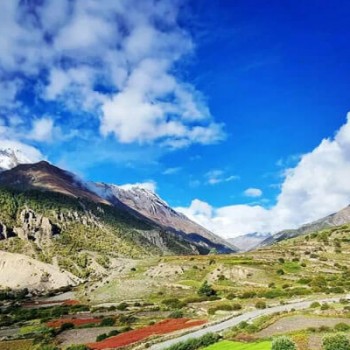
(302, 267)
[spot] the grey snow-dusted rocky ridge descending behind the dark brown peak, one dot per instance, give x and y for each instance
(150, 205)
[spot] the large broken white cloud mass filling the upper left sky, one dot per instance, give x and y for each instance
(119, 61)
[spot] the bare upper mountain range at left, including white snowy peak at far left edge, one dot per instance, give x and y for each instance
(142, 203)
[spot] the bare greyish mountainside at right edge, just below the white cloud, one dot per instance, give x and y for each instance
(340, 218)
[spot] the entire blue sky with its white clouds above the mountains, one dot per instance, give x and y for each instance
(212, 102)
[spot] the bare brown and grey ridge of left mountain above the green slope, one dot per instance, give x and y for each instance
(45, 177)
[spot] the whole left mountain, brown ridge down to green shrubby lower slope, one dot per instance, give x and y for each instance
(52, 215)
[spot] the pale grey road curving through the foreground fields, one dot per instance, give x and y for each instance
(234, 321)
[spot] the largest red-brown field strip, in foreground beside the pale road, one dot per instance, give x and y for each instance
(163, 327)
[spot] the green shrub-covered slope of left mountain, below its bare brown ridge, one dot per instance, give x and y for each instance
(116, 233)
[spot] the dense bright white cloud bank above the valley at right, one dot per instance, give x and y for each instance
(317, 186)
